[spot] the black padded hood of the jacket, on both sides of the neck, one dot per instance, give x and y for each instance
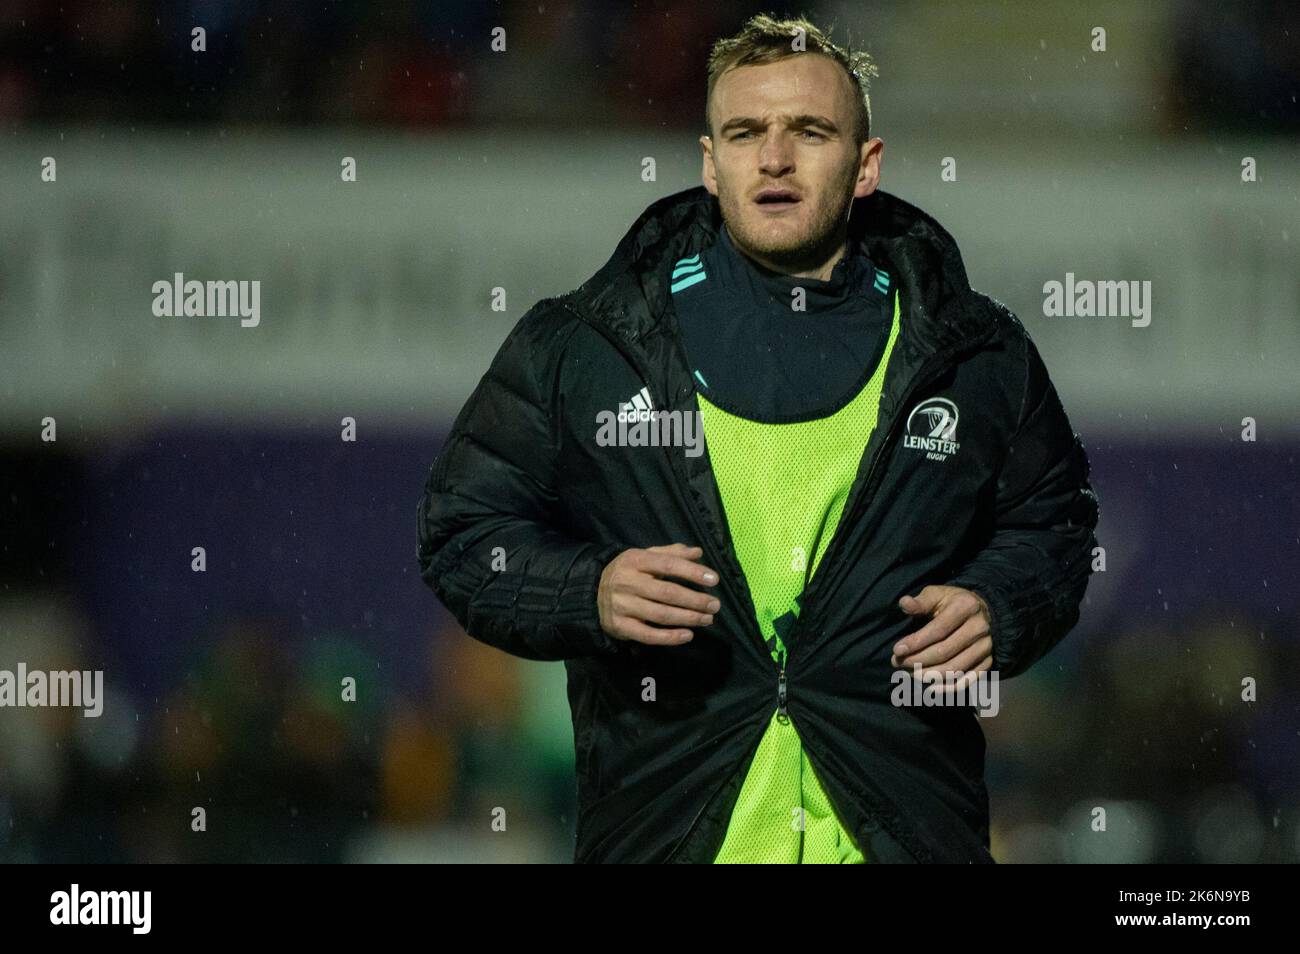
(630, 293)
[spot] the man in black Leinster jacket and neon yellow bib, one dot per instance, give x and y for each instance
(891, 489)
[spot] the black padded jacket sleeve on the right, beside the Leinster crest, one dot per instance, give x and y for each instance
(1034, 571)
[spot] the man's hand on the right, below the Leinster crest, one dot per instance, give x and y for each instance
(957, 639)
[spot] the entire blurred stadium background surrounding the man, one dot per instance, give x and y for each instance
(521, 170)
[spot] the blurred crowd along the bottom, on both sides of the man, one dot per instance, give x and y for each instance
(1147, 725)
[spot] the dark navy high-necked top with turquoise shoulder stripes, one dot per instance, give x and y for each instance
(755, 355)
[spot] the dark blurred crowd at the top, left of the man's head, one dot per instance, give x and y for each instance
(409, 63)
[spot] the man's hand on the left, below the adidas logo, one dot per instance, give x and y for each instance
(635, 595)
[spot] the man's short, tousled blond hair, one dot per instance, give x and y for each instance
(765, 40)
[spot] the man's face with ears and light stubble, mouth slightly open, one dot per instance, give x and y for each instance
(787, 128)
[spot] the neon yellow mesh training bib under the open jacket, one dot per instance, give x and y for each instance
(783, 488)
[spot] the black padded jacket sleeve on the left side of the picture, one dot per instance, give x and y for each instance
(488, 545)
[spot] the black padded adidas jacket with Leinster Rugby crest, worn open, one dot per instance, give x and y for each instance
(1008, 513)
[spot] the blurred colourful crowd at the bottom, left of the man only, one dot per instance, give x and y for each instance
(259, 736)
